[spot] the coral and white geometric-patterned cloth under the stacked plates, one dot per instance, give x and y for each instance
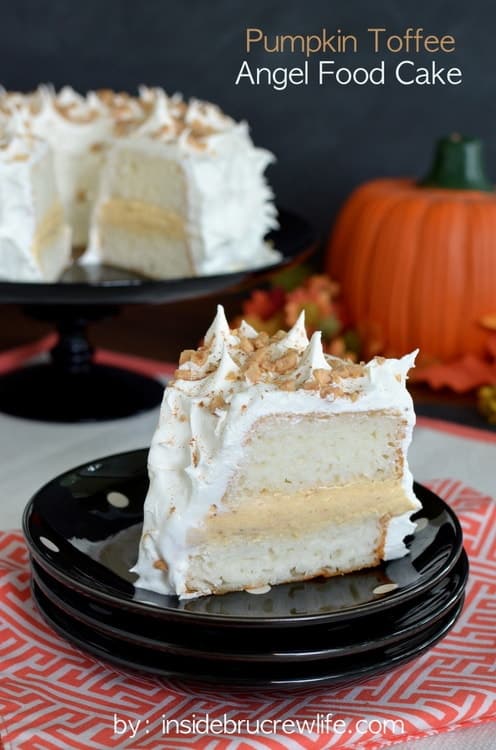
(54, 696)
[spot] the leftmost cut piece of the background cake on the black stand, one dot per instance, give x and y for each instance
(35, 242)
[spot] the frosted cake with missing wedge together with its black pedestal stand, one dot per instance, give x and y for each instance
(173, 197)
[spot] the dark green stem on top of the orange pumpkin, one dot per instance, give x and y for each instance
(458, 165)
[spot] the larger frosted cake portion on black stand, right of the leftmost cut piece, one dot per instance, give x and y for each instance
(152, 183)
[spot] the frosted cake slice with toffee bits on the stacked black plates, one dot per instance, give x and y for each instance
(274, 462)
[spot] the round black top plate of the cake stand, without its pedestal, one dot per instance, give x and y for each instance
(102, 285)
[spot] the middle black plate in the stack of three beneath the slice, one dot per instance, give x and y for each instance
(272, 645)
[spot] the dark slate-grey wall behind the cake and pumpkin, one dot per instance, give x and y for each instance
(327, 139)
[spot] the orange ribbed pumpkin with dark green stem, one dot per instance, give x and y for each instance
(417, 261)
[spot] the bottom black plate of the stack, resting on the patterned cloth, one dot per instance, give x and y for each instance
(334, 672)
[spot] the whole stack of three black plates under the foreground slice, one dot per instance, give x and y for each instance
(82, 530)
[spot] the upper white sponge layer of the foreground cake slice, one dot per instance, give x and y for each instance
(287, 454)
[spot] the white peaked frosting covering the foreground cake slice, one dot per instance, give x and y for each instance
(196, 450)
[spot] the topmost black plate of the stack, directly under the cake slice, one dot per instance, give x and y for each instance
(83, 528)
